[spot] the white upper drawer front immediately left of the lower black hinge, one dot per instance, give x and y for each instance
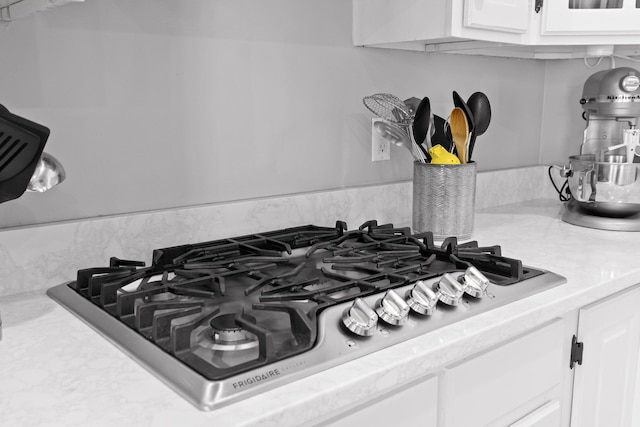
(500, 381)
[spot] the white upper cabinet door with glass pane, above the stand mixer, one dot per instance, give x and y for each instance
(591, 17)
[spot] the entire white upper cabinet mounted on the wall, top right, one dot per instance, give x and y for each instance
(515, 28)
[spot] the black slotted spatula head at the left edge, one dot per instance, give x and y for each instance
(21, 145)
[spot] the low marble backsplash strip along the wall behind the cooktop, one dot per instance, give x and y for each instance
(42, 256)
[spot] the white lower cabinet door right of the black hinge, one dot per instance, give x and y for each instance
(604, 385)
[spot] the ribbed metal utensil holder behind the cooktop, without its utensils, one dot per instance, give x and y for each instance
(444, 199)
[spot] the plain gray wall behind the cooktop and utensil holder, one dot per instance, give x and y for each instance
(156, 104)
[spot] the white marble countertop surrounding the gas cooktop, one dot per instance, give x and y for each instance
(55, 370)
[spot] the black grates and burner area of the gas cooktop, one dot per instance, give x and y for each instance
(273, 286)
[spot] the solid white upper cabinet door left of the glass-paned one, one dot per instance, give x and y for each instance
(510, 16)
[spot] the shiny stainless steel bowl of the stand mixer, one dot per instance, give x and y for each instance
(607, 188)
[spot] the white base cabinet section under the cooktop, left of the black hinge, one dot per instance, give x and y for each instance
(520, 383)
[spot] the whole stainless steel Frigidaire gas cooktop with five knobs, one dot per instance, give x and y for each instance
(223, 320)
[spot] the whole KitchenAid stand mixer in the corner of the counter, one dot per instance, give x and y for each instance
(603, 178)
